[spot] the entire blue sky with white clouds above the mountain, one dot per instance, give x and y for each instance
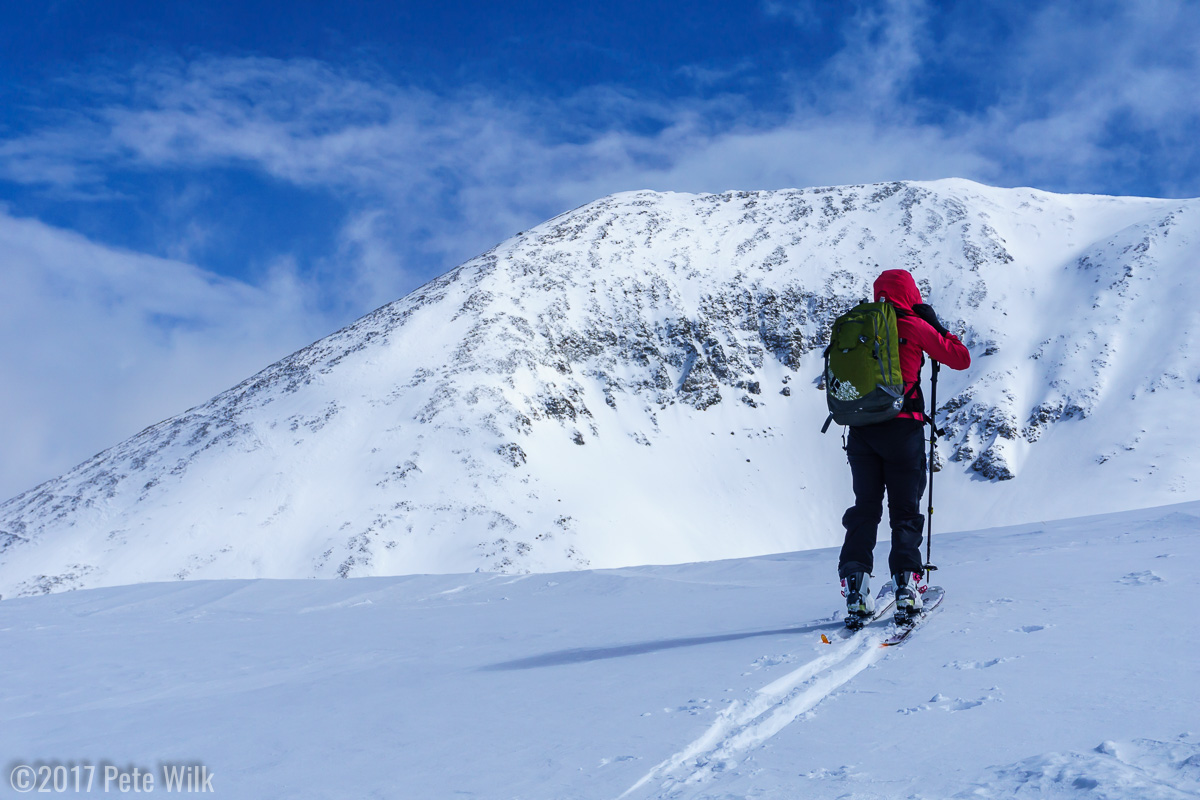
(191, 191)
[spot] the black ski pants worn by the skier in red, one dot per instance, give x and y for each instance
(890, 456)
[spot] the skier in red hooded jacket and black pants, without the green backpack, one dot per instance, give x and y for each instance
(891, 458)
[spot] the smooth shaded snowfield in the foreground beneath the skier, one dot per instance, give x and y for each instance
(1061, 665)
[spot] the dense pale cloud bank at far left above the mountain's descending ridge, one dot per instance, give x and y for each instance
(99, 344)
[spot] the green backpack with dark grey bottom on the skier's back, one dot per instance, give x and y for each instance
(863, 381)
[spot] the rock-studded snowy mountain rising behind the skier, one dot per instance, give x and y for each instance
(637, 382)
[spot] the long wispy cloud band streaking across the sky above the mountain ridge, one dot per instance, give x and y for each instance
(470, 167)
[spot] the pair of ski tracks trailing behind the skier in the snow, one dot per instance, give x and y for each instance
(745, 725)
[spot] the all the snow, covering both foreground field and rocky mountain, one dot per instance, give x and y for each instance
(633, 387)
